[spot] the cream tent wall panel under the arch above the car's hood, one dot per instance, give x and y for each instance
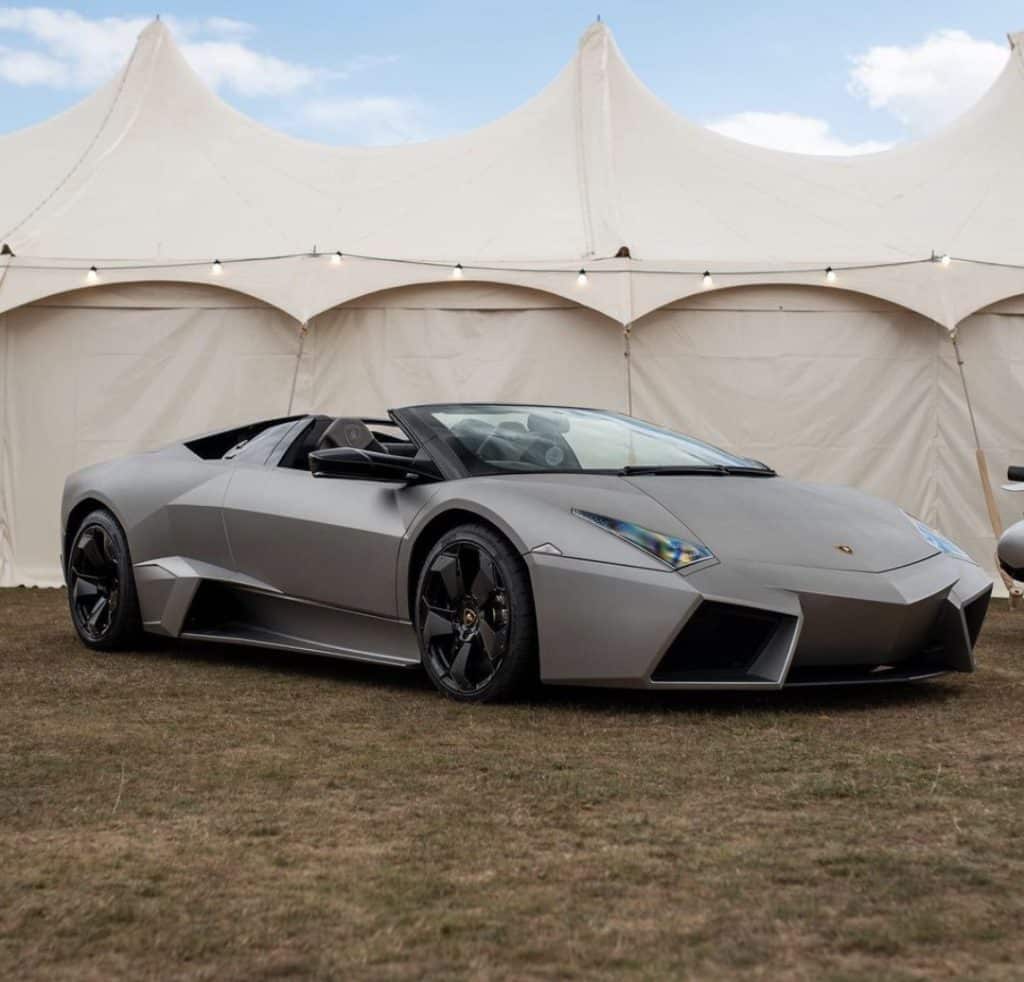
(793, 378)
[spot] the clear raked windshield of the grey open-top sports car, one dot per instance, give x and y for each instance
(491, 440)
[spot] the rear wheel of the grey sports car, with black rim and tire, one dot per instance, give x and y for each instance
(102, 585)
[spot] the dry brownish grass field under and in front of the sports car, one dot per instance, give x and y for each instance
(218, 814)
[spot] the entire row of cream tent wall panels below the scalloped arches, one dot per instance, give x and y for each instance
(826, 386)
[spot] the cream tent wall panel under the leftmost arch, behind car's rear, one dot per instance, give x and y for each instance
(118, 373)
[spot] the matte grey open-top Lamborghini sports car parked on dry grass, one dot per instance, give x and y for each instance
(502, 545)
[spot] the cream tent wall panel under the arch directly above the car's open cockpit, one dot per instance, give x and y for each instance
(410, 347)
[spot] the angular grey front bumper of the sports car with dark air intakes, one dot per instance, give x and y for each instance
(754, 626)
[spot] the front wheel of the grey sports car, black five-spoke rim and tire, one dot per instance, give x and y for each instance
(475, 617)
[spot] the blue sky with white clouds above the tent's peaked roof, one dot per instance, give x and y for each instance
(813, 77)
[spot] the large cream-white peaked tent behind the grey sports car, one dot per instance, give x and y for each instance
(118, 331)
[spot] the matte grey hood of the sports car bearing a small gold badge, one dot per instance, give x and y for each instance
(770, 520)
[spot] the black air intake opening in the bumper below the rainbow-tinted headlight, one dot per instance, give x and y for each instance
(720, 643)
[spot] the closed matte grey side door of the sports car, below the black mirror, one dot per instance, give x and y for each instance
(328, 540)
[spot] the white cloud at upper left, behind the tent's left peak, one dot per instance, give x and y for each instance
(66, 51)
